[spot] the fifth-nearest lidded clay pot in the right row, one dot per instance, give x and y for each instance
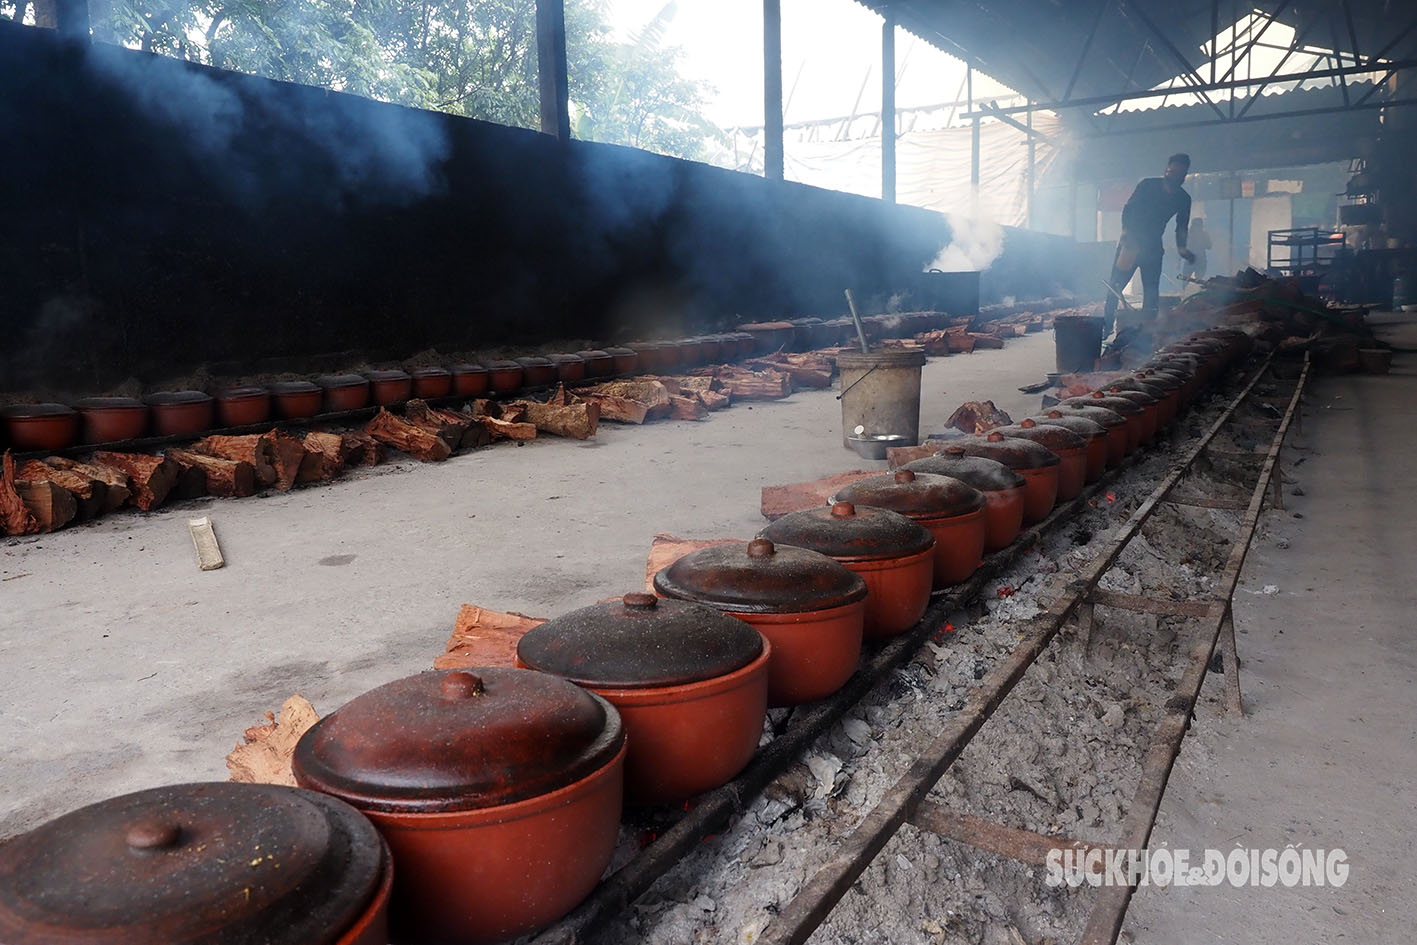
(892, 553)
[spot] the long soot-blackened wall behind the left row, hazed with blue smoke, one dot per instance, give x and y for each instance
(159, 216)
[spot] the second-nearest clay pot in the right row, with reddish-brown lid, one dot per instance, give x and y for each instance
(498, 790)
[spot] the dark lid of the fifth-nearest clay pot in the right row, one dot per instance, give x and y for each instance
(847, 531)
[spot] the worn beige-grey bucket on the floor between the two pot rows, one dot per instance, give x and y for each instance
(881, 393)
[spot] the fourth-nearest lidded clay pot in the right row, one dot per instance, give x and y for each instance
(808, 607)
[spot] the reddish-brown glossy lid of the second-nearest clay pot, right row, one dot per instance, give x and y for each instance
(460, 740)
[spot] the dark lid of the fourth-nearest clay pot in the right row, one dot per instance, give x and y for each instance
(762, 577)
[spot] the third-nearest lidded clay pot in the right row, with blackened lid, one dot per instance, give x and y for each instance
(691, 685)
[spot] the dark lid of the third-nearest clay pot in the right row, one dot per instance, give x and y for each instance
(641, 643)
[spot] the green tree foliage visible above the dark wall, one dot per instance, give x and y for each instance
(467, 57)
